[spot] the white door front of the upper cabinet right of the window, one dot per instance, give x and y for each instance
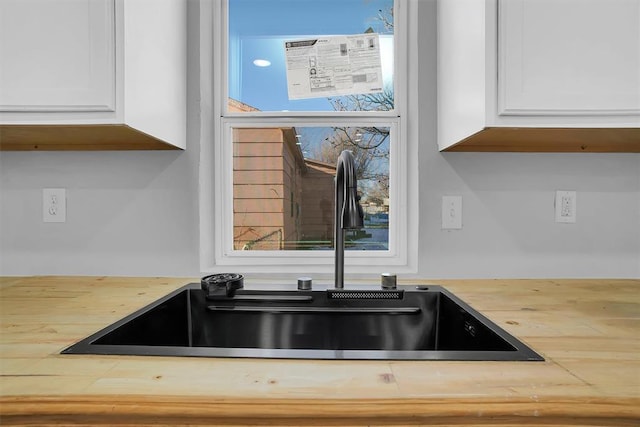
(569, 57)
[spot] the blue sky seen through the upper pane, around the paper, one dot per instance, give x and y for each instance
(257, 29)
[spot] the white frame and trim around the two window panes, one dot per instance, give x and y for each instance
(216, 156)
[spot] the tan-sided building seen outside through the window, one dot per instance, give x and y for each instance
(280, 199)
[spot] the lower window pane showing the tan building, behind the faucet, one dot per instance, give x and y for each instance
(283, 186)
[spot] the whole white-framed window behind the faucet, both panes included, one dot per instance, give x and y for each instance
(296, 83)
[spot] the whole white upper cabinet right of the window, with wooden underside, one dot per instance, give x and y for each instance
(539, 75)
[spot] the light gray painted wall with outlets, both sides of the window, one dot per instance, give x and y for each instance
(136, 213)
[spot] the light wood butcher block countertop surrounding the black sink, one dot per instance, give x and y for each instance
(587, 330)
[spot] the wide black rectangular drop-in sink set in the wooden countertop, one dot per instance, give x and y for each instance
(415, 323)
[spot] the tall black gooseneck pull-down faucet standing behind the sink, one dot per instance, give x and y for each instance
(349, 214)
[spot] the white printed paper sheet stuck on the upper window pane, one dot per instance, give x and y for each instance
(333, 66)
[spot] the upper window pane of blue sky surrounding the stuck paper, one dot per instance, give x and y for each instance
(258, 30)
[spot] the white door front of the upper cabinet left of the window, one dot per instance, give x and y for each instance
(57, 56)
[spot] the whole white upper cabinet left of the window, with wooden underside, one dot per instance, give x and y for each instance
(92, 74)
